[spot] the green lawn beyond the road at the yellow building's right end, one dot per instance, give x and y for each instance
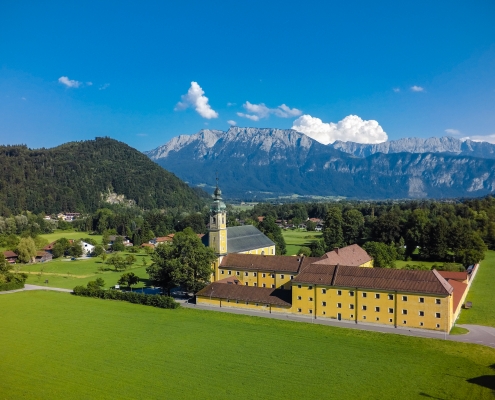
(482, 295)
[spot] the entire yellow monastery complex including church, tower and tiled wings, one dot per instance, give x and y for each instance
(341, 285)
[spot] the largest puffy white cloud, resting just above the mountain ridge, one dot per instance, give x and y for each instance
(351, 129)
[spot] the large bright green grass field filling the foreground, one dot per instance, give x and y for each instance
(61, 346)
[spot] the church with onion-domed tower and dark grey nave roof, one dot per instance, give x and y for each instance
(245, 239)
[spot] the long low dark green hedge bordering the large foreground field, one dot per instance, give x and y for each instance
(154, 300)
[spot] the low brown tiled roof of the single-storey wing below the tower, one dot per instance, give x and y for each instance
(247, 293)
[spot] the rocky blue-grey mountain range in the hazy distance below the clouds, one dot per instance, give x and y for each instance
(264, 163)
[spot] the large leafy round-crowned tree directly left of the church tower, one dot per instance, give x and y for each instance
(185, 262)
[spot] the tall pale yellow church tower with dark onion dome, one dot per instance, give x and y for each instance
(217, 234)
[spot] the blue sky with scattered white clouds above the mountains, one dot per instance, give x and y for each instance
(73, 71)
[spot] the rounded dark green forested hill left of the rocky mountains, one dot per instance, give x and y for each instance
(73, 177)
